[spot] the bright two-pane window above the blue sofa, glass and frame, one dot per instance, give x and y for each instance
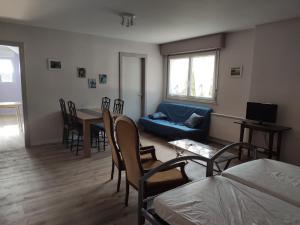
(192, 76)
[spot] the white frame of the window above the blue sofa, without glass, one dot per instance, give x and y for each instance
(216, 52)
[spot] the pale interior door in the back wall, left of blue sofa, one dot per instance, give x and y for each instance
(132, 69)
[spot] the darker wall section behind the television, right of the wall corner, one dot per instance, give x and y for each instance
(276, 79)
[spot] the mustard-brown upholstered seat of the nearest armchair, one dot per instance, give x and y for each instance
(163, 181)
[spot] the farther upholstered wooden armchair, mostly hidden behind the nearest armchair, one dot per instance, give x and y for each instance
(147, 152)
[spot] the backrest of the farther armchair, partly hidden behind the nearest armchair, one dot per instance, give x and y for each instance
(110, 133)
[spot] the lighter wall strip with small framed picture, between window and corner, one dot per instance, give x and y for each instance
(233, 93)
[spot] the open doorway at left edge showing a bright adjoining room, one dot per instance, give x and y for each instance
(11, 100)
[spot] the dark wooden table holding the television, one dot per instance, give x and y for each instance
(271, 129)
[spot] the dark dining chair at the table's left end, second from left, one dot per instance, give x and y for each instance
(76, 127)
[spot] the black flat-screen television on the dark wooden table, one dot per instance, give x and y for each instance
(261, 112)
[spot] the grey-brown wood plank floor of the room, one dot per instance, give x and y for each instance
(50, 185)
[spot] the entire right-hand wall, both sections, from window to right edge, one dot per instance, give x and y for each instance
(270, 56)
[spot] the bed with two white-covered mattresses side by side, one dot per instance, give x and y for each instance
(259, 192)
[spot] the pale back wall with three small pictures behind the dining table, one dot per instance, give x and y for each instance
(97, 54)
